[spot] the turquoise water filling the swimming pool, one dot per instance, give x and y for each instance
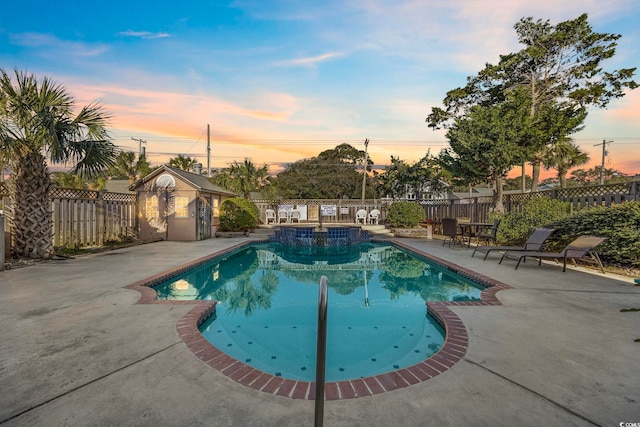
(267, 308)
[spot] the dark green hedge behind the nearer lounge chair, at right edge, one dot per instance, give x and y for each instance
(620, 224)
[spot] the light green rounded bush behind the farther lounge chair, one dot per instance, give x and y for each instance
(517, 225)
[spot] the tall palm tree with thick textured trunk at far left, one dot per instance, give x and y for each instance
(36, 118)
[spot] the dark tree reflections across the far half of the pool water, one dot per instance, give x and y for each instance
(247, 280)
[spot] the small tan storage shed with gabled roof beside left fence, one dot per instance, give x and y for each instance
(177, 205)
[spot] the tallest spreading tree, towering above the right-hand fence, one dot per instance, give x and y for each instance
(560, 67)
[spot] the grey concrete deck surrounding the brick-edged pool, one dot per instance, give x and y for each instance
(77, 349)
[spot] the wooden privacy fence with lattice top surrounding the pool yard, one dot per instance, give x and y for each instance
(87, 218)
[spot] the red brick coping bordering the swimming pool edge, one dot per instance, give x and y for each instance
(454, 348)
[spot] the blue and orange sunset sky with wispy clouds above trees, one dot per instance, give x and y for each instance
(282, 80)
